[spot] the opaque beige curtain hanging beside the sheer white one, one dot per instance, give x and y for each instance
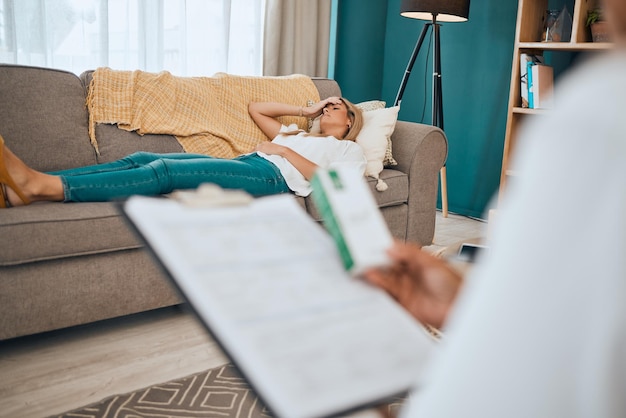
(297, 37)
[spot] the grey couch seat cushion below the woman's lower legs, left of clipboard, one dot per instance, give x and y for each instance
(50, 231)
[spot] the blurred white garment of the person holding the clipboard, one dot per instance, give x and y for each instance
(540, 329)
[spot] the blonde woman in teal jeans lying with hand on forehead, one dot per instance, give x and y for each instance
(286, 164)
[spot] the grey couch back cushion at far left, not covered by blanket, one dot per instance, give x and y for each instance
(43, 117)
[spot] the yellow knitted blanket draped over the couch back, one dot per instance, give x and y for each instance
(207, 115)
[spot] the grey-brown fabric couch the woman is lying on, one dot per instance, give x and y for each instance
(64, 264)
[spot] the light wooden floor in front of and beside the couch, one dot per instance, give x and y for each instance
(56, 372)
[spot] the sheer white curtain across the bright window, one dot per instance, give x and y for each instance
(185, 37)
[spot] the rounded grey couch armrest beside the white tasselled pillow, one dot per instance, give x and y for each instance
(420, 150)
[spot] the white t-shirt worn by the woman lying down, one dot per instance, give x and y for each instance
(327, 152)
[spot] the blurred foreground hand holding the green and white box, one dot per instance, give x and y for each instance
(424, 285)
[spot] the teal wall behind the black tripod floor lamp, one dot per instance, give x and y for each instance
(373, 46)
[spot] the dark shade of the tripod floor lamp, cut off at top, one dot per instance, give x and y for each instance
(445, 10)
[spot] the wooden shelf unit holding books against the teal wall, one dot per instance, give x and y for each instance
(530, 16)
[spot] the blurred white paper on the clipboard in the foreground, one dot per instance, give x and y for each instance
(270, 285)
